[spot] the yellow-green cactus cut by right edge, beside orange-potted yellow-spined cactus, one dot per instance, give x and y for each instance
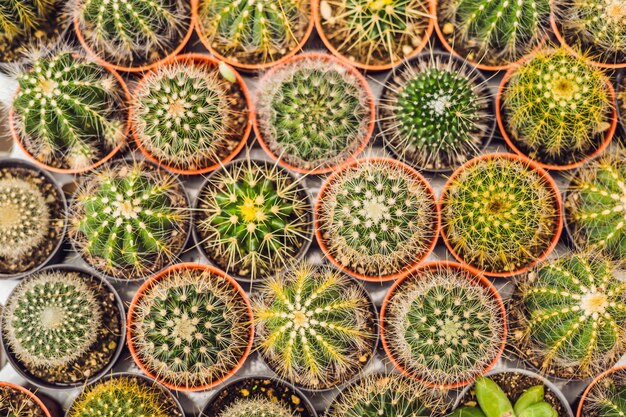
(594, 205)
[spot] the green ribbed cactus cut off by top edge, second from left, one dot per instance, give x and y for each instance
(130, 33)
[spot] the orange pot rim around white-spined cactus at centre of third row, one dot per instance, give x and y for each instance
(410, 266)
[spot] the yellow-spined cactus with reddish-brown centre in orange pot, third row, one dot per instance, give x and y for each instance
(499, 214)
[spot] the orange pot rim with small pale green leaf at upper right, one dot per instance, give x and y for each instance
(204, 60)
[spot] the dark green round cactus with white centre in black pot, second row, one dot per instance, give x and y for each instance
(435, 112)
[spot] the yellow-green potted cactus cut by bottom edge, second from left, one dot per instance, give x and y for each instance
(125, 395)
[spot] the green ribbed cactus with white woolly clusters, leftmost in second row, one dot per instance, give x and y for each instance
(69, 111)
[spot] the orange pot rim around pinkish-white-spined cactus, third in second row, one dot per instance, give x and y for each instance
(362, 144)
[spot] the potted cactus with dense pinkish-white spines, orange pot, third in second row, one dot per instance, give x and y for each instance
(313, 112)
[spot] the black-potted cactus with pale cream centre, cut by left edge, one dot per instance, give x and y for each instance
(32, 218)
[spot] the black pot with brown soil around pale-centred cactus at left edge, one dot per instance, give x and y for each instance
(50, 249)
